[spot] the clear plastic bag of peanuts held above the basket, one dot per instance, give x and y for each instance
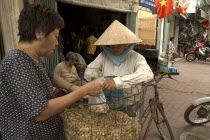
(98, 104)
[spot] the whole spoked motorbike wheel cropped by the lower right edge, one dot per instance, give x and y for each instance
(197, 115)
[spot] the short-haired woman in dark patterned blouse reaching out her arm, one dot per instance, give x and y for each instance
(28, 108)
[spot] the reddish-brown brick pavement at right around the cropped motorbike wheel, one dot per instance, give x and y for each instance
(193, 83)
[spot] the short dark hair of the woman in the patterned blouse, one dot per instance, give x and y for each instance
(38, 17)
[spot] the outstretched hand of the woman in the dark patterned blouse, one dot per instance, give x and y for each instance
(93, 88)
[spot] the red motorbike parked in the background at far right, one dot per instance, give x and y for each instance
(200, 51)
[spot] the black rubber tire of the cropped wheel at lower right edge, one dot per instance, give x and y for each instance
(192, 108)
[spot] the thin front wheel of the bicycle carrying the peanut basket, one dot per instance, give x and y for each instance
(162, 124)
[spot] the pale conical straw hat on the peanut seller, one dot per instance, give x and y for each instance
(116, 34)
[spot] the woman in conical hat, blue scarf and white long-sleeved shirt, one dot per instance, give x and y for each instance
(118, 60)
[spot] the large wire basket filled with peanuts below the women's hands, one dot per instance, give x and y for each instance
(121, 122)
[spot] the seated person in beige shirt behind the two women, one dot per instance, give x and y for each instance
(66, 69)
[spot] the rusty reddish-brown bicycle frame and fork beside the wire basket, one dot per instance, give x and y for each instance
(151, 108)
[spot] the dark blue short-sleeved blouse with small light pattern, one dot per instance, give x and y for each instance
(25, 88)
